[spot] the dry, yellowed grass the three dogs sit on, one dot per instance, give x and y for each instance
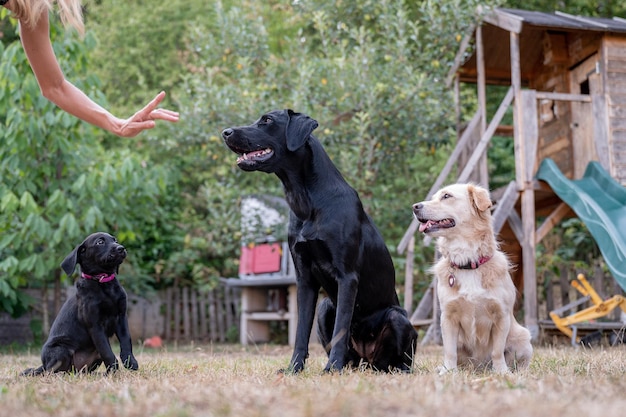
(237, 381)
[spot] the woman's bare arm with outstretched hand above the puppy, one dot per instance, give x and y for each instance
(54, 86)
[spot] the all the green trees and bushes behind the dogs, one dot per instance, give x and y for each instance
(371, 72)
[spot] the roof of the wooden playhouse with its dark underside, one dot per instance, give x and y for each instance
(531, 27)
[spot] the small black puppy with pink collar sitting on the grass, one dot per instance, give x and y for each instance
(79, 337)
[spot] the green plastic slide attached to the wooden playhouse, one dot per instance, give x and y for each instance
(600, 202)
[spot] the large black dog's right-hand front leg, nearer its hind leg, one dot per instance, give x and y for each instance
(346, 298)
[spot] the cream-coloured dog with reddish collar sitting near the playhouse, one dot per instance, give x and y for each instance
(474, 286)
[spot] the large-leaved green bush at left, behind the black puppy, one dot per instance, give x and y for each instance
(56, 182)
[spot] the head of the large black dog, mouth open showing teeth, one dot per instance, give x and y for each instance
(263, 143)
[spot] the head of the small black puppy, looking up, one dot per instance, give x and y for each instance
(98, 254)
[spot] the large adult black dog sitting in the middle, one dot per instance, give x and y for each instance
(335, 246)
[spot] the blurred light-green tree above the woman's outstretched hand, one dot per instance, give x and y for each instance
(141, 46)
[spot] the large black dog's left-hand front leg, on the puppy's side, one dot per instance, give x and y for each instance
(307, 295)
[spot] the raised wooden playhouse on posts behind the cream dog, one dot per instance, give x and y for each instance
(566, 79)
